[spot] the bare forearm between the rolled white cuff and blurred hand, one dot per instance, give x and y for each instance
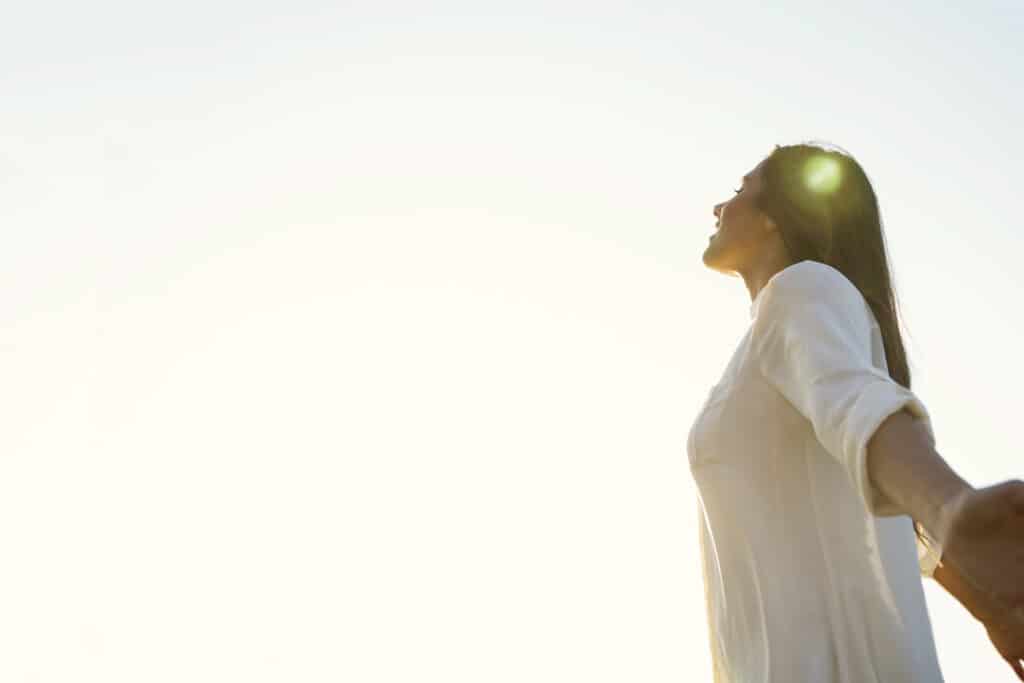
(904, 464)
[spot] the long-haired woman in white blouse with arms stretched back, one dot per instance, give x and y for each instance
(813, 456)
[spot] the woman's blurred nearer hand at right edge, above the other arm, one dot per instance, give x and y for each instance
(986, 544)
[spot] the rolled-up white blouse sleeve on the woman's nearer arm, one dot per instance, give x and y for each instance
(813, 337)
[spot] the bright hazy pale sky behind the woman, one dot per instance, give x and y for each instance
(361, 341)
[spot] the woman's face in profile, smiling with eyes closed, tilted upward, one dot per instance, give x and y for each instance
(745, 235)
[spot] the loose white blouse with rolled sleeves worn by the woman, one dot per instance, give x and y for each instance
(810, 574)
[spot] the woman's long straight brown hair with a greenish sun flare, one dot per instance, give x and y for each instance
(827, 210)
